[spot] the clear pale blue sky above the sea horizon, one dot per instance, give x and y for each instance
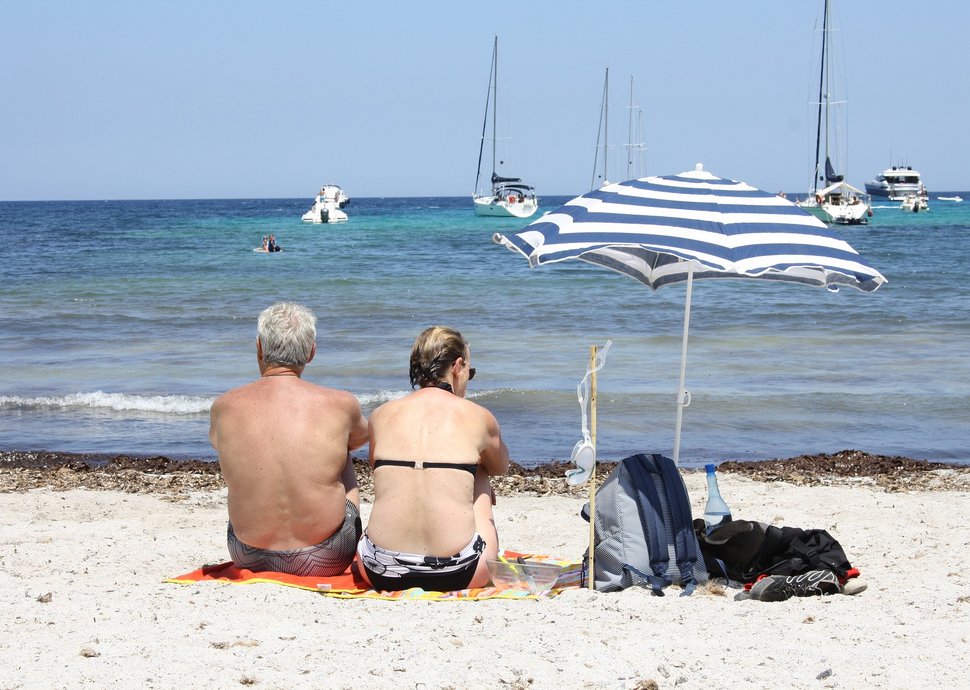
(211, 99)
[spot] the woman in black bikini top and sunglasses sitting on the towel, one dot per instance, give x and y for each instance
(433, 451)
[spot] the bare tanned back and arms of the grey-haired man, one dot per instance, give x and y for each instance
(283, 446)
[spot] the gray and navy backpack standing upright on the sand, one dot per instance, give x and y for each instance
(644, 533)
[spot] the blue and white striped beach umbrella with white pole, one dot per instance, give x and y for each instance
(671, 229)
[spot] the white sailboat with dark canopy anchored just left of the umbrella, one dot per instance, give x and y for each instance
(506, 196)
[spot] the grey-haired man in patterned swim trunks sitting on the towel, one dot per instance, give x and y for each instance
(284, 449)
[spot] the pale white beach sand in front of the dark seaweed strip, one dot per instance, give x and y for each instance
(83, 605)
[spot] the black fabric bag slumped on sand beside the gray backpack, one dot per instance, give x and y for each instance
(743, 549)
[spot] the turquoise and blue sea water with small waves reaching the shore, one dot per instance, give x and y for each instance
(120, 322)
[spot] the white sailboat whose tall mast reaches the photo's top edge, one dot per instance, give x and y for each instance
(830, 198)
